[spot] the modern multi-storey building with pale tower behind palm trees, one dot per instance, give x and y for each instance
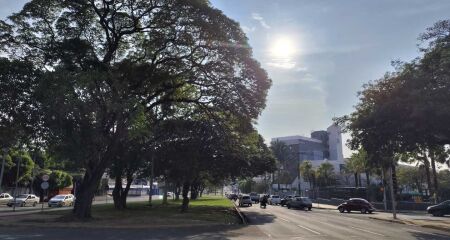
(320, 147)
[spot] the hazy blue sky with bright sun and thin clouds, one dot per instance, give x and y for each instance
(319, 53)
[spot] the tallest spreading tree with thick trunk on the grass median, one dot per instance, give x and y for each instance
(101, 61)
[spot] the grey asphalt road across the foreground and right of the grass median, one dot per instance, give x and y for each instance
(275, 222)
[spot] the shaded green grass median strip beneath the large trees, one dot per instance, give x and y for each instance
(208, 210)
